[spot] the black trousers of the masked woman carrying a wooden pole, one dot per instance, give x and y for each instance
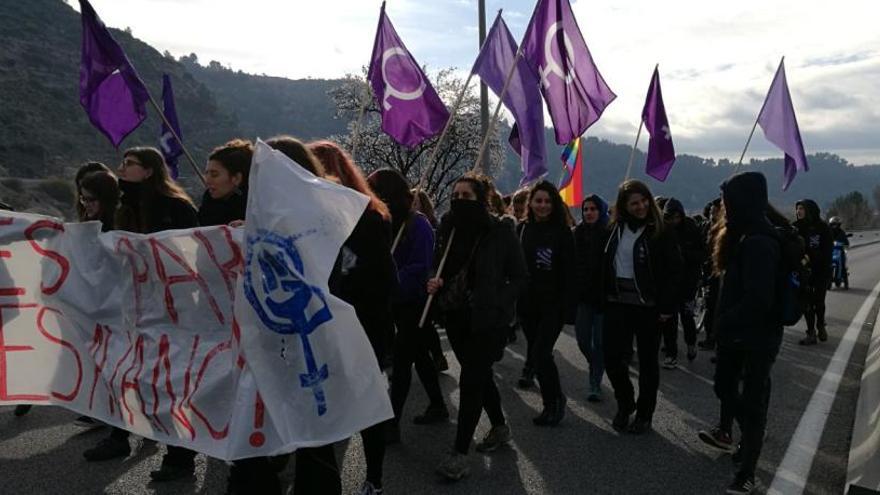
(476, 352)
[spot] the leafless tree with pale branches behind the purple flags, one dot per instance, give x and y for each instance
(457, 153)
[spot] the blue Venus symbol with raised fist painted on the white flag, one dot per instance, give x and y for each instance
(275, 287)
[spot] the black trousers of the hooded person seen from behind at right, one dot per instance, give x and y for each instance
(749, 403)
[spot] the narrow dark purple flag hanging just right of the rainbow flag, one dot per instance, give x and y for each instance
(661, 153)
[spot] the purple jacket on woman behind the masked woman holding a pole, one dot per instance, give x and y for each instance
(414, 257)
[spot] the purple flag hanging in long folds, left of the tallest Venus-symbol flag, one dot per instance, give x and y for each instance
(523, 98)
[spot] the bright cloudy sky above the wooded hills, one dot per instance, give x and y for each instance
(716, 58)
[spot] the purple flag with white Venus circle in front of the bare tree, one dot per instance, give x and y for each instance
(411, 110)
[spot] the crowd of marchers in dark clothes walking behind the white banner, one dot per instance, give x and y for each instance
(628, 271)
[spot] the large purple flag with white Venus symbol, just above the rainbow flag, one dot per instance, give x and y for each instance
(575, 92)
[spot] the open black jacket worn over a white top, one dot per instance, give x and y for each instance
(657, 264)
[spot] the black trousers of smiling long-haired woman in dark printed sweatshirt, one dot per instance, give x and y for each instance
(542, 324)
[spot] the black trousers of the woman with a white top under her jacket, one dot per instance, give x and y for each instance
(622, 323)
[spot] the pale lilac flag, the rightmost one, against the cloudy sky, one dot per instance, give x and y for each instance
(780, 127)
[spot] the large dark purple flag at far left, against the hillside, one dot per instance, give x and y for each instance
(110, 90)
